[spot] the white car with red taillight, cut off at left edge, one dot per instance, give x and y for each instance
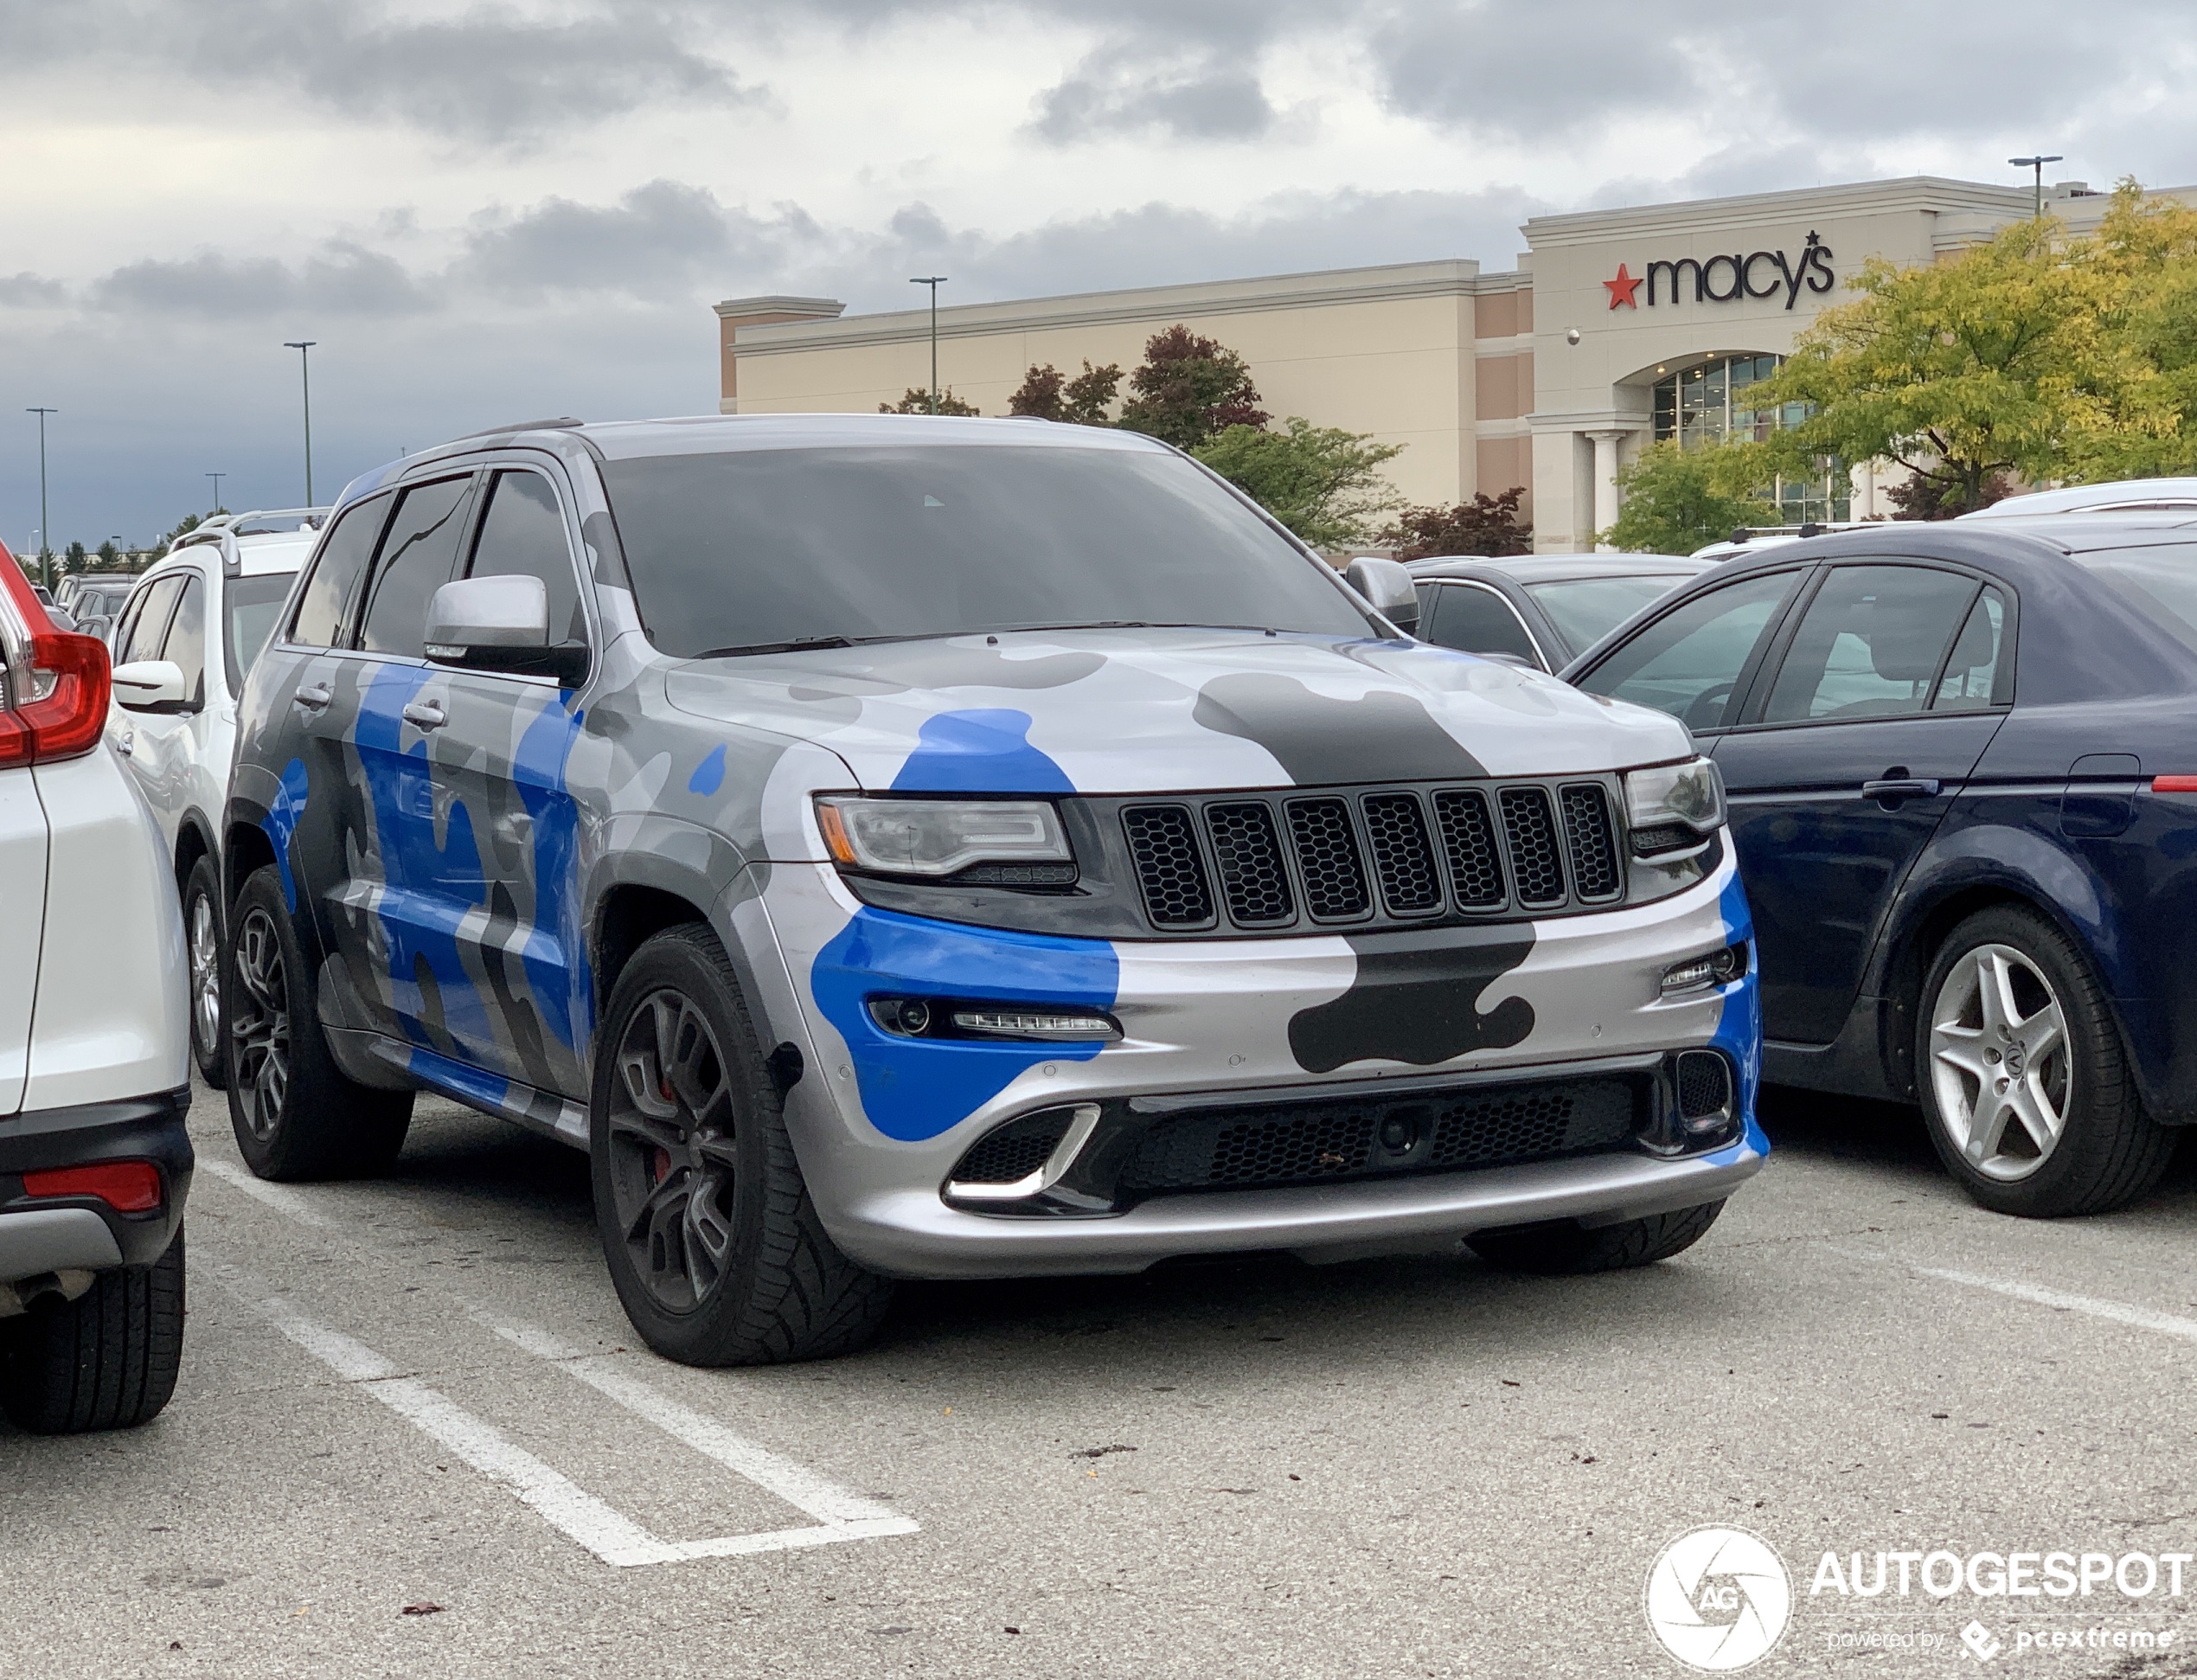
(93, 1075)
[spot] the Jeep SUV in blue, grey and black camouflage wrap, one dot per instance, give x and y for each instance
(961, 849)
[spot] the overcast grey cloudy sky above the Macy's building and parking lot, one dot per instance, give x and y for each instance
(517, 210)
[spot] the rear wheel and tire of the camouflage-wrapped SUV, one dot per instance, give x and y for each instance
(293, 1110)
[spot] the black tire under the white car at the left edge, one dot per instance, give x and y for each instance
(104, 1360)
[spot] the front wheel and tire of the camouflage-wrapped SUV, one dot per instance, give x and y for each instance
(711, 1235)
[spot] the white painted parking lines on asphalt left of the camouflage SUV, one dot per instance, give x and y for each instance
(564, 1503)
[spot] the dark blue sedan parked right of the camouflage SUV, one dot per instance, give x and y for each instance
(1963, 792)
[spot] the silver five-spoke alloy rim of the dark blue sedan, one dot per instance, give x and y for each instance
(2000, 1064)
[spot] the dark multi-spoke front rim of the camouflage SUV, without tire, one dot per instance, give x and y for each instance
(673, 1154)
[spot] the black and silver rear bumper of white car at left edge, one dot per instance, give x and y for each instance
(85, 1233)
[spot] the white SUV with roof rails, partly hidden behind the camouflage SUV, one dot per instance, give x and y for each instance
(181, 653)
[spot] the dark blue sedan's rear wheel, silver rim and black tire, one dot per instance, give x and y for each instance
(1994, 1075)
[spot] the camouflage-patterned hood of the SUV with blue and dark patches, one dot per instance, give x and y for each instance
(1170, 713)
